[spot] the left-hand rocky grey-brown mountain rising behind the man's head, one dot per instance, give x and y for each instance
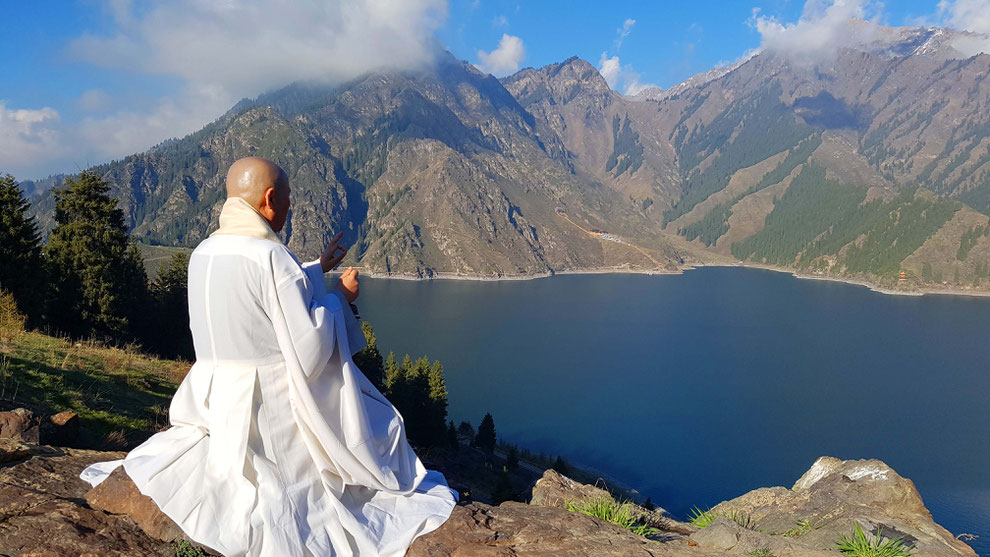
(435, 171)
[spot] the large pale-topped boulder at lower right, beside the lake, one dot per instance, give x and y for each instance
(834, 495)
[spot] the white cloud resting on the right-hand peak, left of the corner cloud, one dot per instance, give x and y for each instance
(823, 28)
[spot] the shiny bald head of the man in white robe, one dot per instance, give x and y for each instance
(264, 185)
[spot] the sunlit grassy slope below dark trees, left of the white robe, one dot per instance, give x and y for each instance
(120, 395)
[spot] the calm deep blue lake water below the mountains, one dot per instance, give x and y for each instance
(696, 388)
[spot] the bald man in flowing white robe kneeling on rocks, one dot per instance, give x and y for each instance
(278, 445)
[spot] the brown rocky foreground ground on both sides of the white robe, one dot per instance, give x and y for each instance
(46, 510)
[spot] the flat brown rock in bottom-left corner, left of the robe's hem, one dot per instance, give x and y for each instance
(42, 510)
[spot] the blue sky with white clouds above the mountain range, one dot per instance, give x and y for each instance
(90, 80)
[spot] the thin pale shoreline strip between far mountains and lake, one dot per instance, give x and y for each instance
(627, 271)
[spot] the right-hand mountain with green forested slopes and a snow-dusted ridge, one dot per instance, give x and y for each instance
(867, 162)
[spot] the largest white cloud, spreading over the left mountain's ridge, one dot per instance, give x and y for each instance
(216, 52)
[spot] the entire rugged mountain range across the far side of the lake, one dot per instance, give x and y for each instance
(861, 162)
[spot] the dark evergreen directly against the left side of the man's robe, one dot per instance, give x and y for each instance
(169, 334)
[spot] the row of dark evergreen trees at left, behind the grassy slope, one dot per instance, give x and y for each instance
(88, 279)
